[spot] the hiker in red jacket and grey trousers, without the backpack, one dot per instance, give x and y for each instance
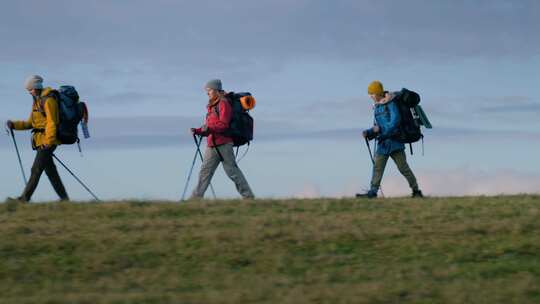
(219, 146)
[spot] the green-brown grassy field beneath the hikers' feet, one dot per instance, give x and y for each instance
(436, 250)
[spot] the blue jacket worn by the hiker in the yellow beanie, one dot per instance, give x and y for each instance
(387, 118)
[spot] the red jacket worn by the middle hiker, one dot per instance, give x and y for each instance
(217, 124)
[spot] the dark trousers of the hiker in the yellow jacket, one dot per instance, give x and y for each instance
(44, 162)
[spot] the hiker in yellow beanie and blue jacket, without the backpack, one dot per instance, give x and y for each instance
(386, 126)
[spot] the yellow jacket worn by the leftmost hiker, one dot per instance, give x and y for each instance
(43, 120)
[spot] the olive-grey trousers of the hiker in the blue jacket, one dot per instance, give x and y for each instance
(400, 158)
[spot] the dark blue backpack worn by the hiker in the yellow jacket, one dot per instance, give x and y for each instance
(71, 113)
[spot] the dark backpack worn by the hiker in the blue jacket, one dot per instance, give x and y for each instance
(412, 117)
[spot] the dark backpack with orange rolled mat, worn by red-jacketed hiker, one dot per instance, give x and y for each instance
(241, 124)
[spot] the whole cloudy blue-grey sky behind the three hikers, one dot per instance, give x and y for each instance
(141, 67)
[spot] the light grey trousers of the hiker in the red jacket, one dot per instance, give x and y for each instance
(209, 166)
